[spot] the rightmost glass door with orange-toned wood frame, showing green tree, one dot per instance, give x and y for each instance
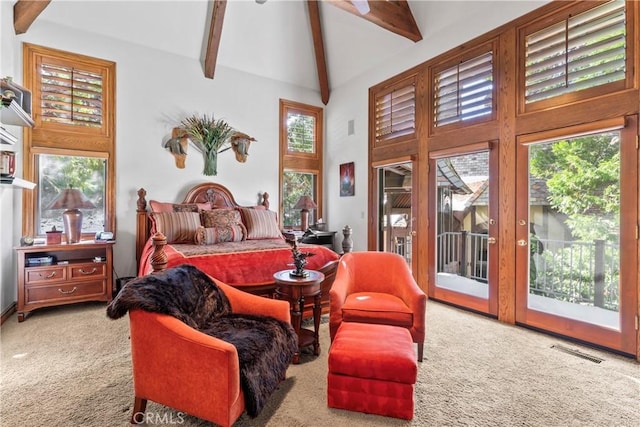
(576, 256)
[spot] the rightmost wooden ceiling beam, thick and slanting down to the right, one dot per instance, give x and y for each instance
(395, 16)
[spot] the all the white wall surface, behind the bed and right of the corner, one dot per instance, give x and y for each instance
(155, 89)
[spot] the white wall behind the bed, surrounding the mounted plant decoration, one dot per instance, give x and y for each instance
(154, 91)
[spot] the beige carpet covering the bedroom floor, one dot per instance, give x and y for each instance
(69, 366)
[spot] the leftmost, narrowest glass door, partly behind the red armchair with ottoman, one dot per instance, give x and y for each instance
(395, 211)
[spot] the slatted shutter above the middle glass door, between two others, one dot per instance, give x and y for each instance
(464, 91)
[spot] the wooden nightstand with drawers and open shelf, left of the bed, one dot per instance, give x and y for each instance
(74, 275)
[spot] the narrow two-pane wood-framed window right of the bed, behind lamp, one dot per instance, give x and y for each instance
(300, 161)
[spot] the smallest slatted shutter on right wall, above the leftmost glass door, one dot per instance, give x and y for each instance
(396, 113)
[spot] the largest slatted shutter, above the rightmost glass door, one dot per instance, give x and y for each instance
(581, 52)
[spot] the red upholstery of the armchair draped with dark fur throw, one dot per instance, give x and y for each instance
(169, 359)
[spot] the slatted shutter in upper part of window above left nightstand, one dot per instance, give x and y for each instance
(71, 96)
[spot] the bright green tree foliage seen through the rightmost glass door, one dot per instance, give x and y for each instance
(583, 178)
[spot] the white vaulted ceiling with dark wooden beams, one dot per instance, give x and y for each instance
(313, 44)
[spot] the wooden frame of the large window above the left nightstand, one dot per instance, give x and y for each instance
(68, 140)
